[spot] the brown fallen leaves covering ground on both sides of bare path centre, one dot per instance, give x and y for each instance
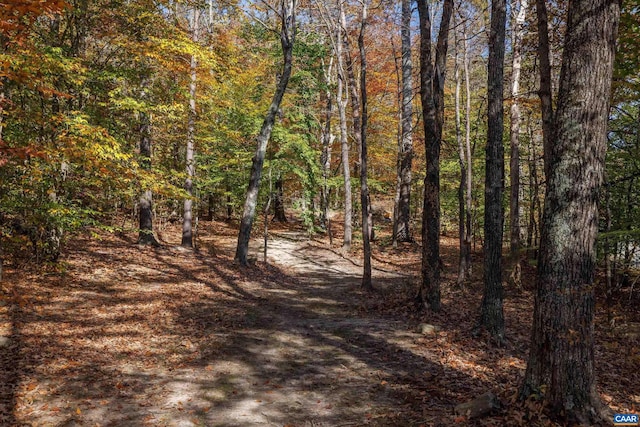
(122, 333)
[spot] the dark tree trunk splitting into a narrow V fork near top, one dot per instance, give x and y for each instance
(432, 96)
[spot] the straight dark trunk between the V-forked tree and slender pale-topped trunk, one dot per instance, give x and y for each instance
(491, 313)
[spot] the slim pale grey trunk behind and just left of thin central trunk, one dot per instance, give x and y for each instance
(342, 107)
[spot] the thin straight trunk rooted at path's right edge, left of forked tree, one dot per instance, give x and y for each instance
(367, 220)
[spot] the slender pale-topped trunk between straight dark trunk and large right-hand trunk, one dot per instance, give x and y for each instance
(514, 160)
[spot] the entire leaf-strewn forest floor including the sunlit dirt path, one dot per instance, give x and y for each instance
(124, 335)
